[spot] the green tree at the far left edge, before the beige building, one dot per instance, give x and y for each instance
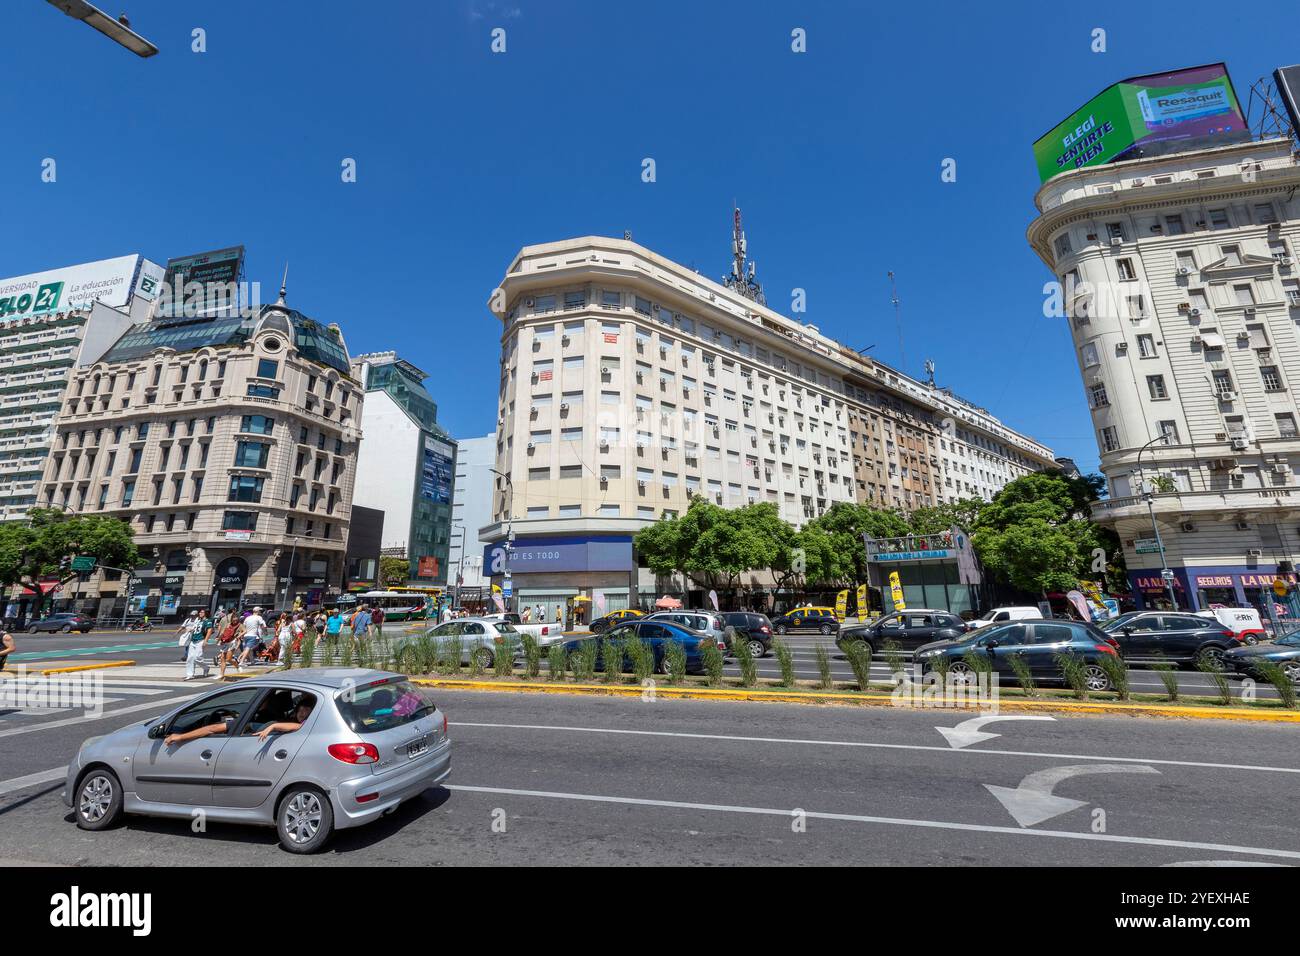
(37, 550)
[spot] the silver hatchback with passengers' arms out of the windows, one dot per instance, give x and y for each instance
(307, 751)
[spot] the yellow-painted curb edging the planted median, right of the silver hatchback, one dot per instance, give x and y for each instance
(877, 700)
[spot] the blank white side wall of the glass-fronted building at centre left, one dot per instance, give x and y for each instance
(387, 465)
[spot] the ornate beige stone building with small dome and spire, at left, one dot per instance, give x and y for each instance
(231, 447)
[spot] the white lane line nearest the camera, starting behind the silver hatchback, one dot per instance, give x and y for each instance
(788, 814)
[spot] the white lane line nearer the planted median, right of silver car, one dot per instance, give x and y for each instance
(873, 745)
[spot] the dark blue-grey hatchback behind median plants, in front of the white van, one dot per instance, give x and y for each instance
(1037, 643)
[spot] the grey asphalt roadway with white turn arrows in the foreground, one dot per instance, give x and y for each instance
(566, 780)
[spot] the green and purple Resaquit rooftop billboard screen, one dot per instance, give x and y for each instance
(1146, 116)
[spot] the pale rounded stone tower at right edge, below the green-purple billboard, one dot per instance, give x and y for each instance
(1182, 295)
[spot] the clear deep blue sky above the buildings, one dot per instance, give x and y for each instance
(463, 157)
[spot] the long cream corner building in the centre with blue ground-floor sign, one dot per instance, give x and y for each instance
(630, 383)
